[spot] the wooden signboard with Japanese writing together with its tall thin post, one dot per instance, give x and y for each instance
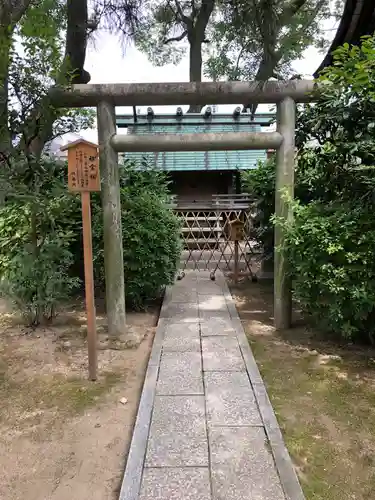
(84, 177)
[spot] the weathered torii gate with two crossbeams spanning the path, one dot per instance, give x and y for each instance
(105, 97)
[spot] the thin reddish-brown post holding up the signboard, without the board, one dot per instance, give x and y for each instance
(89, 284)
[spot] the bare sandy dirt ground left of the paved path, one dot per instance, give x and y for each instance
(61, 436)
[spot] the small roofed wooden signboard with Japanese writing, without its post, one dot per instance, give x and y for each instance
(83, 166)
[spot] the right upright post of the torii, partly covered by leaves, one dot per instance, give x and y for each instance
(284, 182)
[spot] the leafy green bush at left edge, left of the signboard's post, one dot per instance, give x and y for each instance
(38, 228)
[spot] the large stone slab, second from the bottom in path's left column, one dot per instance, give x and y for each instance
(178, 436)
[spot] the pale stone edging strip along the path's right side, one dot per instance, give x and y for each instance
(287, 474)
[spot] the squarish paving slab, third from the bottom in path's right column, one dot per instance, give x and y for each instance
(221, 354)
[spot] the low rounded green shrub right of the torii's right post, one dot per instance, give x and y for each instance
(330, 250)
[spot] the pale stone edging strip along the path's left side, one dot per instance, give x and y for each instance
(132, 478)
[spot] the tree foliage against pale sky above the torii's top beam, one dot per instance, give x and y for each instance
(236, 39)
